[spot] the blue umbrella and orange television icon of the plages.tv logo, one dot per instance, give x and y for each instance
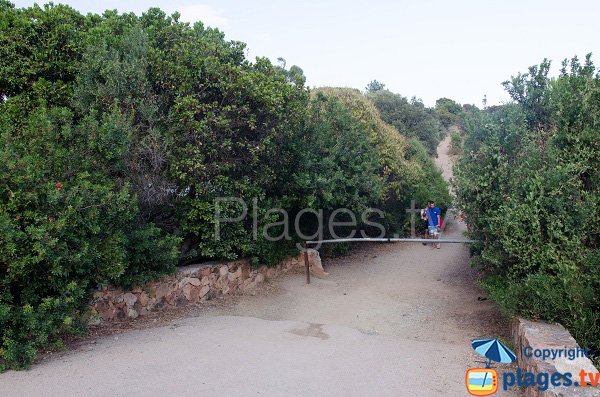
(484, 381)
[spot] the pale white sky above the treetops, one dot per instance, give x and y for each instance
(459, 49)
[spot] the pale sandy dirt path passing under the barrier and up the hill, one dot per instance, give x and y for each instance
(390, 320)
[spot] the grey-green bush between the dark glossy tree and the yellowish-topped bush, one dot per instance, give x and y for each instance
(339, 161)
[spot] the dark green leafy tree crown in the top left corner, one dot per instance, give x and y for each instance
(40, 49)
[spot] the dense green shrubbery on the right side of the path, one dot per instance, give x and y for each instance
(529, 182)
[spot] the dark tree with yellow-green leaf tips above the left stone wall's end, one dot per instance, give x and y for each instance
(233, 141)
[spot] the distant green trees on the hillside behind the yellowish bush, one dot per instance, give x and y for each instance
(410, 118)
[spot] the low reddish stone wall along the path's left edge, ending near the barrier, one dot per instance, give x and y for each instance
(191, 285)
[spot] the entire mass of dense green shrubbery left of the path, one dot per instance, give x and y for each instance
(117, 134)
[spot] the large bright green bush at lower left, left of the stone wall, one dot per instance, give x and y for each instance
(66, 227)
